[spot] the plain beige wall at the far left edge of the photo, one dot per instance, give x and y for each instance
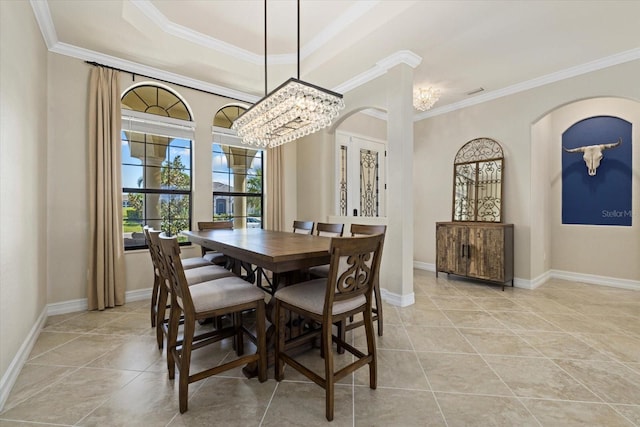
(23, 189)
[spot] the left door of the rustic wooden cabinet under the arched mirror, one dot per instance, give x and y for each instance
(450, 240)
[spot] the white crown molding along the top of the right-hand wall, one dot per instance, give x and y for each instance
(599, 64)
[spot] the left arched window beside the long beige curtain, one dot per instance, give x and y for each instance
(157, 135)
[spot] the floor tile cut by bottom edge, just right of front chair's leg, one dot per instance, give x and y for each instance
(393, 407)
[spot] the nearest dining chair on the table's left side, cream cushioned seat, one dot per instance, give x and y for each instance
(226, 296)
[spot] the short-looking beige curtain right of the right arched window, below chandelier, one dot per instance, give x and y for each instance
(275, 189)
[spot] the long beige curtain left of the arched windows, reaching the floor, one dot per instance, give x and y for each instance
(106, 278)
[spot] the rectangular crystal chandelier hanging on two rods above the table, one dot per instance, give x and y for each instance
(293, 110)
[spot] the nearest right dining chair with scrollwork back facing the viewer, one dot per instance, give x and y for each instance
(347, 291)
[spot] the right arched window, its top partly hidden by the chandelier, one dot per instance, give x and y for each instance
(236, 174)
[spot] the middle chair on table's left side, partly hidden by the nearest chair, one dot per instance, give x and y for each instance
(192, 275)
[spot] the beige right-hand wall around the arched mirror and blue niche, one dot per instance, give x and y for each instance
(510, 121)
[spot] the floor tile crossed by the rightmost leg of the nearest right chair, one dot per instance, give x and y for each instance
(396, 369)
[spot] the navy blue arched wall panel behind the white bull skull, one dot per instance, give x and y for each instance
(603, 199)
